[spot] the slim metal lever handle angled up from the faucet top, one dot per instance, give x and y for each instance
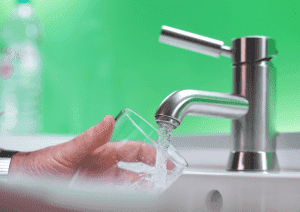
(194, 42)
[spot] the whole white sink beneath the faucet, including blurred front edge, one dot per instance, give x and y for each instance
(205, 186)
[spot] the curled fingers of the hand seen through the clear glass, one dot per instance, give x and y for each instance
(101, 165)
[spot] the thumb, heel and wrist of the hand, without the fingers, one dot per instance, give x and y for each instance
(61, 161)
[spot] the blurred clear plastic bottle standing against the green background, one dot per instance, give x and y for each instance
(21, 71)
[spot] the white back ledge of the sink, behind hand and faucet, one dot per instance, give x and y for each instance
(201, 152)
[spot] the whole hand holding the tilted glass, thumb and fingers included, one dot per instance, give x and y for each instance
(91, 151)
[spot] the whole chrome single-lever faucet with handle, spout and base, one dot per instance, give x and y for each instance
(251, 105)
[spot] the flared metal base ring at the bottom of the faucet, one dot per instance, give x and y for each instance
(252, 161)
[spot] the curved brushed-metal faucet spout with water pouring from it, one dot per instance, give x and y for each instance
(200, 103)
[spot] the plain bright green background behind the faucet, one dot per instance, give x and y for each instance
(103, 56)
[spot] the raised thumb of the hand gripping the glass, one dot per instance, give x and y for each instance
(72, 152)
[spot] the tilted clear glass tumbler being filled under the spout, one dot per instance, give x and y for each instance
(133, 146)
